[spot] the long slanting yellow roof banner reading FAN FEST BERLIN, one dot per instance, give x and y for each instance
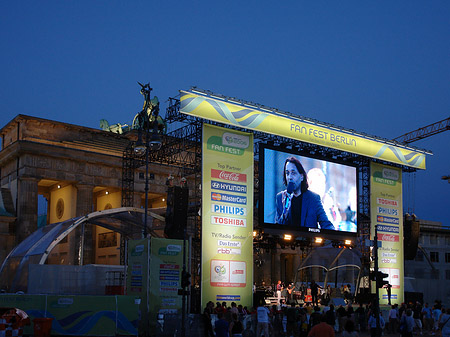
(259, 120)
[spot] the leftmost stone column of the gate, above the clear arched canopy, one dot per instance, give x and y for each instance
(27, 208)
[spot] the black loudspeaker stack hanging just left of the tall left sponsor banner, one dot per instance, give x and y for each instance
(176, 212)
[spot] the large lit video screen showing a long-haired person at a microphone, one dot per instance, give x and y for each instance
(300, 193)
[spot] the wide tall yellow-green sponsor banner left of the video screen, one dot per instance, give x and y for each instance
(227, 216)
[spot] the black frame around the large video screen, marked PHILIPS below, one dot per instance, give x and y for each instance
(277, 229)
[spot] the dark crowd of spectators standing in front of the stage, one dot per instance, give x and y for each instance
(323, 321)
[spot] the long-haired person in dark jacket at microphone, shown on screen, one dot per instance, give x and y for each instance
(297, 206)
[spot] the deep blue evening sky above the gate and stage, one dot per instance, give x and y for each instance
(379, 67)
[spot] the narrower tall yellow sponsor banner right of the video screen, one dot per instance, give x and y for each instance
(387, 215)
